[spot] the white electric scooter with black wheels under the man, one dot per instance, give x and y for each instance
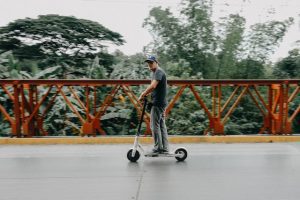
(134, 153)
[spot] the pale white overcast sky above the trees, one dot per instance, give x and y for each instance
(126, 16)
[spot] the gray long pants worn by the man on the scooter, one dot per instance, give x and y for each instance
(159, 129)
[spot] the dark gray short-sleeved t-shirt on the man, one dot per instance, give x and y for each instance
(159, 94)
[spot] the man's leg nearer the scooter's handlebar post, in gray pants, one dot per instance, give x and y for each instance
(155, 127)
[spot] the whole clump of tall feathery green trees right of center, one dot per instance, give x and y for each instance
(214, 49)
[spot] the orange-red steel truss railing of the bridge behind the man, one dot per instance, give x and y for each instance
(272, 98)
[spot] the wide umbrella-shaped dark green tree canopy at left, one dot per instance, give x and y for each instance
(56, 39)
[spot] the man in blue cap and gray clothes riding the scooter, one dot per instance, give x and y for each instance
(158, 90)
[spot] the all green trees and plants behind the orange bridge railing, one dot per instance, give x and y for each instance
(188, 46)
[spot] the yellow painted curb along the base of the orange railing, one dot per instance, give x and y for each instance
(147, 140)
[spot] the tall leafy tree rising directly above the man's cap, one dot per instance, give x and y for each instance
(190, 37)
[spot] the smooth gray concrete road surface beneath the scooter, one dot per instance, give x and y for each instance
(268, 171)
